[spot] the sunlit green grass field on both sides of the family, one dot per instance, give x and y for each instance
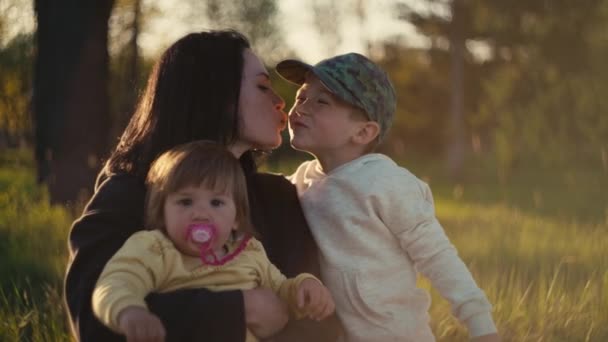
(536, 245)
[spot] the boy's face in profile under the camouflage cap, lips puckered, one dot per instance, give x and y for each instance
(319, 122)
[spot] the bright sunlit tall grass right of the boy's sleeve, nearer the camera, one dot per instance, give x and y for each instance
(548, 280)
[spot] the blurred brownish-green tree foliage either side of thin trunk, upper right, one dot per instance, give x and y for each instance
(534, 90)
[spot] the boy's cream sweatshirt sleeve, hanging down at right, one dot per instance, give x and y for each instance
(406, 206)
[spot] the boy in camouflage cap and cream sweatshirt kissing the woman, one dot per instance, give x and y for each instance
(374, 221)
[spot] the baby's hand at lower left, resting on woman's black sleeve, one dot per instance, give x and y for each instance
(139, 325)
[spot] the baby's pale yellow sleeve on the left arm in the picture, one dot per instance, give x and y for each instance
(134, 271)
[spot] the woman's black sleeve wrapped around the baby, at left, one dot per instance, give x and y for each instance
(112, 215)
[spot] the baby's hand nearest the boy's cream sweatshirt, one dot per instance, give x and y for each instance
(315, 300)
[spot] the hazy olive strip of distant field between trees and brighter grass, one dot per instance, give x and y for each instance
(572, 193)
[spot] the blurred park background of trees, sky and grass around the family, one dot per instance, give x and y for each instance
(501, 110)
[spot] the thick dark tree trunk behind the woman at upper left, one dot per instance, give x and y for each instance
(70, 94)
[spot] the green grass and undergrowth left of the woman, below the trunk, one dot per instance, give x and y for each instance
(33, 255)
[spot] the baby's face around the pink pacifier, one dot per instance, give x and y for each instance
(199, 205)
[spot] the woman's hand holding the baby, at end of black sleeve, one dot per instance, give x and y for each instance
(265, 313)
